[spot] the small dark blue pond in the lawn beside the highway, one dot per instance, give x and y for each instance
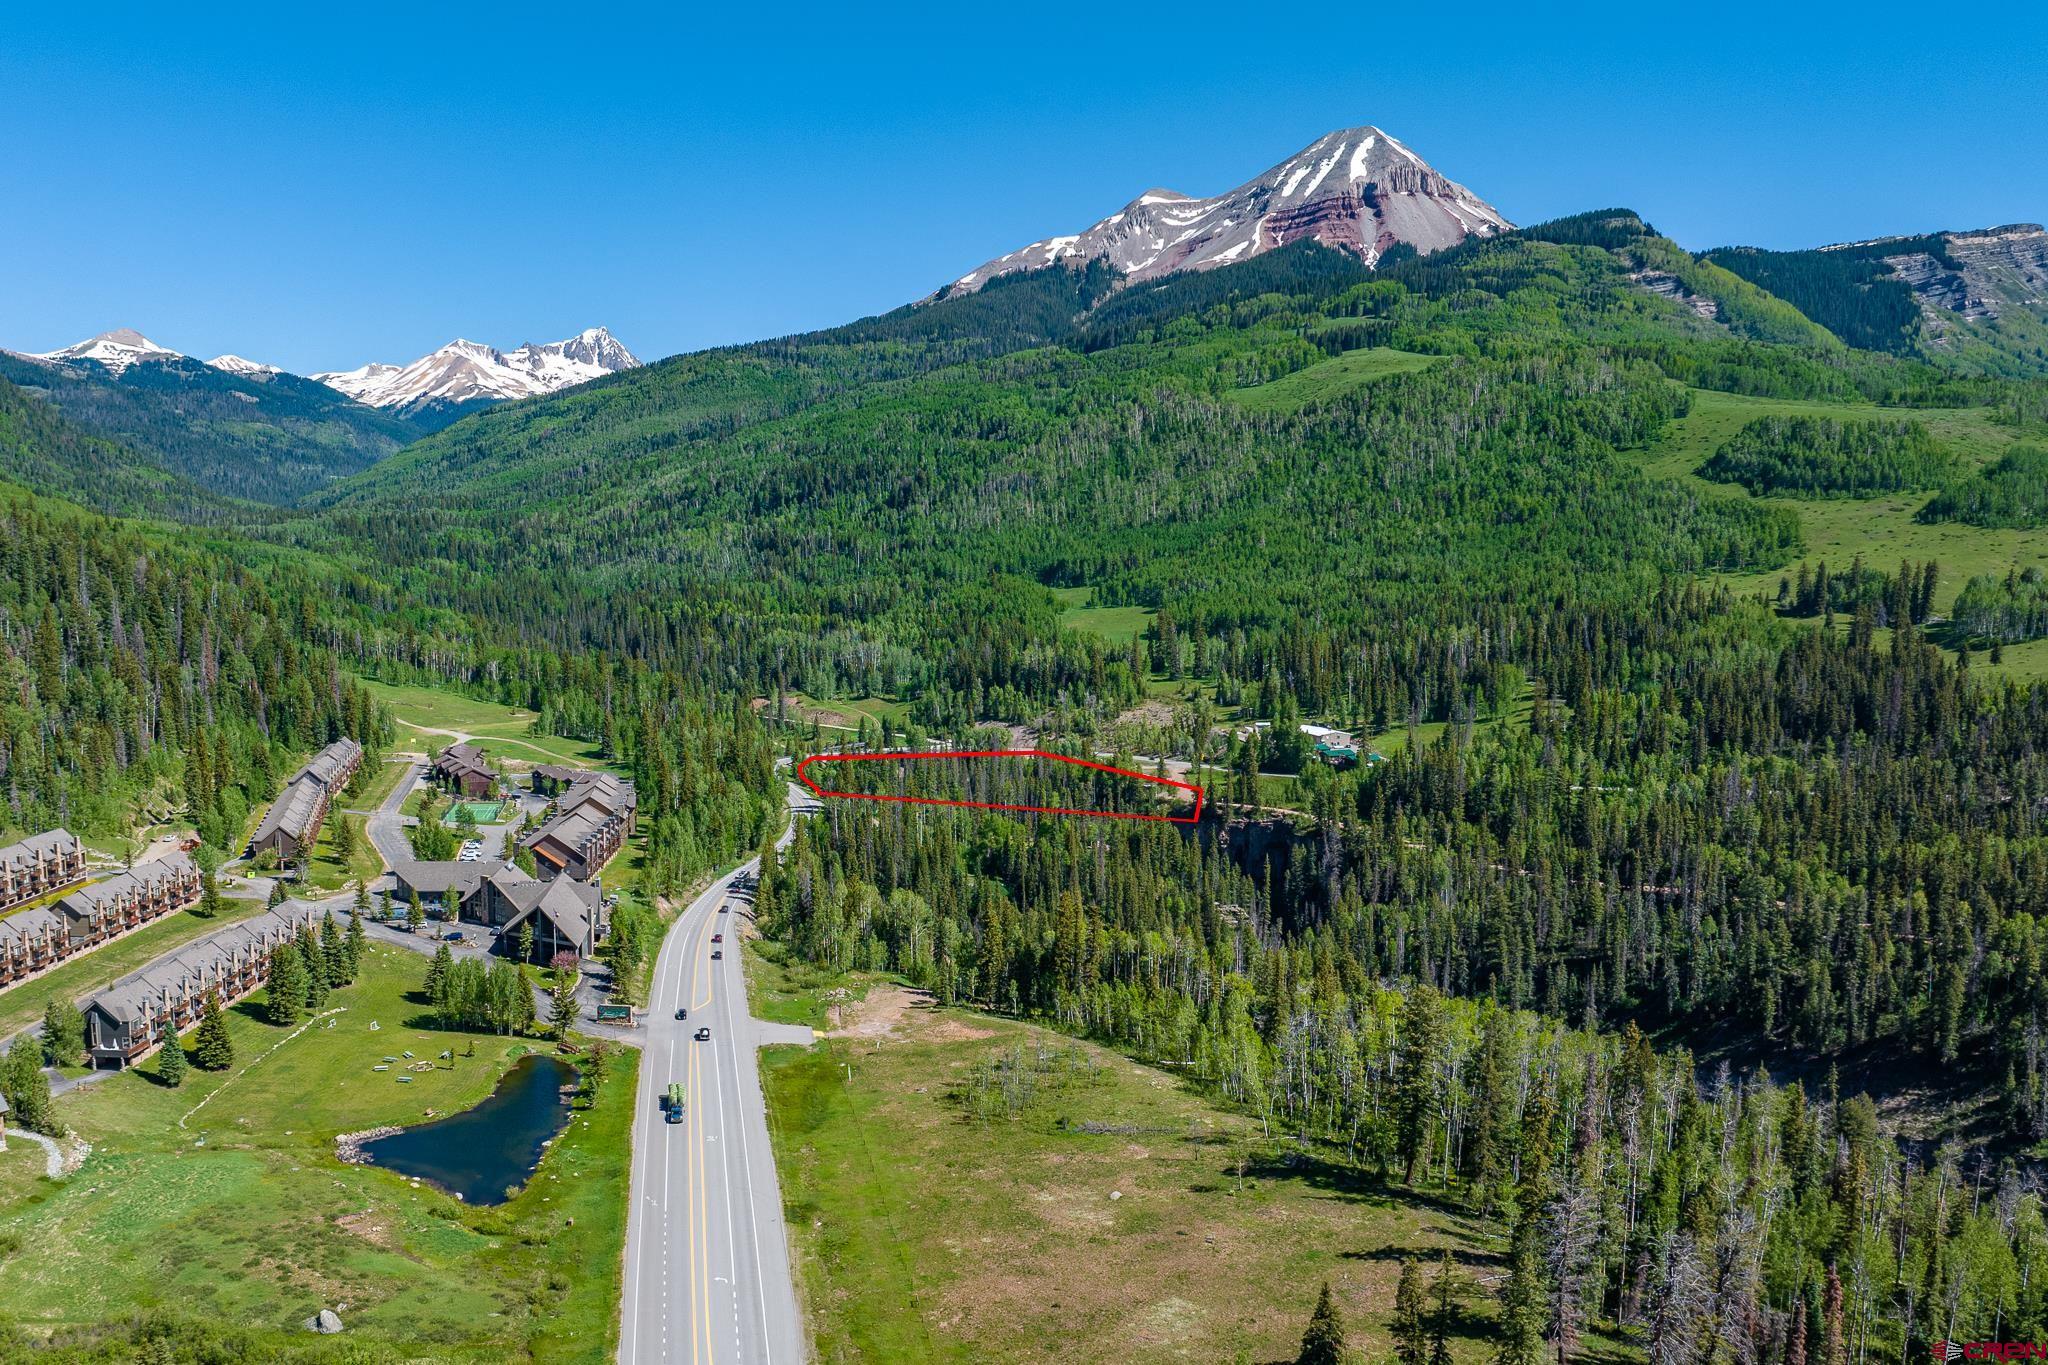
(486, 1151)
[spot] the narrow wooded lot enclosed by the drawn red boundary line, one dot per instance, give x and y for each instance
(1027, 781)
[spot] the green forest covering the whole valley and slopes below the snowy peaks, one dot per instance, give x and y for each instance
(1654, 799)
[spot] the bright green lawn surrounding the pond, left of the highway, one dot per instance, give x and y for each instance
(245, 1215)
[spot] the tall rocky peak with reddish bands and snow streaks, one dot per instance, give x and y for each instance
(1357, 189)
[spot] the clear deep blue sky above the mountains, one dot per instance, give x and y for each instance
(357, 183)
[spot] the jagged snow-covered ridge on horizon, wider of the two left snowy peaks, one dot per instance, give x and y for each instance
(468, 376)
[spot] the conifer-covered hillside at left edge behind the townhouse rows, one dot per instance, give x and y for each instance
(144, 678)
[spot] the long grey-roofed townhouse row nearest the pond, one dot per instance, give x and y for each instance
(134, 1016)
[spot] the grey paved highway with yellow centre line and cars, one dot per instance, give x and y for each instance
(708, 1258)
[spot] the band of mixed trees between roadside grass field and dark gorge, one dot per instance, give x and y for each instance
(1734, 1219)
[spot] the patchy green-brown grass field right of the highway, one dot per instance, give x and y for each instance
(984, 1190)
